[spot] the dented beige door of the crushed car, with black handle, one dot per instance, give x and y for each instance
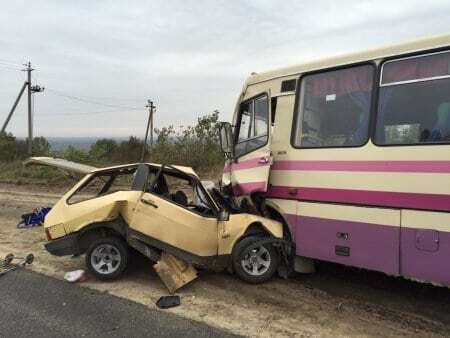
(158, 217)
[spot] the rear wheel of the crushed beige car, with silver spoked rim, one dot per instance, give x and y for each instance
(107, 258)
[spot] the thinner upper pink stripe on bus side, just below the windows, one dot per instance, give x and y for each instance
(374, 166)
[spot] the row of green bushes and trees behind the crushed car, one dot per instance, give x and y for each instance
(196, 146)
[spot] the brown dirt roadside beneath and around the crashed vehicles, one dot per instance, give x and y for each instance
(335, 301)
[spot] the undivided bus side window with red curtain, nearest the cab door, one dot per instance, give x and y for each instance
(334, 108)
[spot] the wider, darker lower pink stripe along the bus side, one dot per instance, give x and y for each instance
(364, 197)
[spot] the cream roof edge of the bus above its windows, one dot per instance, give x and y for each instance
(345, 59)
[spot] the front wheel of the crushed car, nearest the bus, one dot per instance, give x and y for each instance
(254, 265)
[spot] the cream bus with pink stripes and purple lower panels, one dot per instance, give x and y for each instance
(352, 153)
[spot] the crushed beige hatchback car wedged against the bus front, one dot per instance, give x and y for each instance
(160, 208)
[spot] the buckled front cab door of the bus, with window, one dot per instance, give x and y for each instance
(248, 172)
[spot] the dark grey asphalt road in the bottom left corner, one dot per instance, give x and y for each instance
(34, 305)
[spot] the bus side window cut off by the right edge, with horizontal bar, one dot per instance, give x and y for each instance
(414, 100)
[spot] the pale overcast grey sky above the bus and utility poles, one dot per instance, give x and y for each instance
(101, 60)
